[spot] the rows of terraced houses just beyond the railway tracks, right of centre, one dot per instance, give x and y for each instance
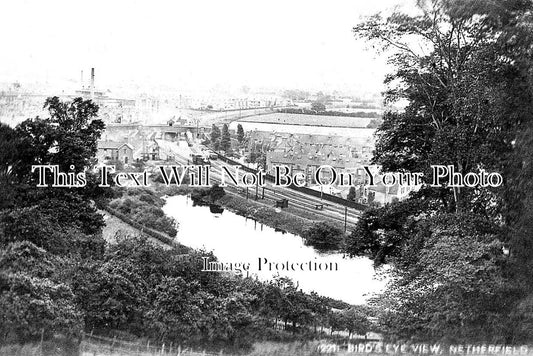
(305, 153)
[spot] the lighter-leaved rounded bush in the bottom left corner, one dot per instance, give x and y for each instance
(33, 298)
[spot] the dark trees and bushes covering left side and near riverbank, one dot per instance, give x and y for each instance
(58, 276)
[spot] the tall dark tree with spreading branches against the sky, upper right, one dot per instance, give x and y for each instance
(448, 119)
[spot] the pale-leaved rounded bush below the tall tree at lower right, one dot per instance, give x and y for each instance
(454, 286)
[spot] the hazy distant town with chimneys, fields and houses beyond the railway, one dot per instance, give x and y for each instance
(293, 128)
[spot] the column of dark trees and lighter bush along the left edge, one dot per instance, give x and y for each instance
(46, 231)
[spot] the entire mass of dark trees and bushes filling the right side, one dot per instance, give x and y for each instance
(461, 257)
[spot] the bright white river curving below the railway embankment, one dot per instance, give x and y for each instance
(236, 239)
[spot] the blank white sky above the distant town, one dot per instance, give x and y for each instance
(192, 45)
